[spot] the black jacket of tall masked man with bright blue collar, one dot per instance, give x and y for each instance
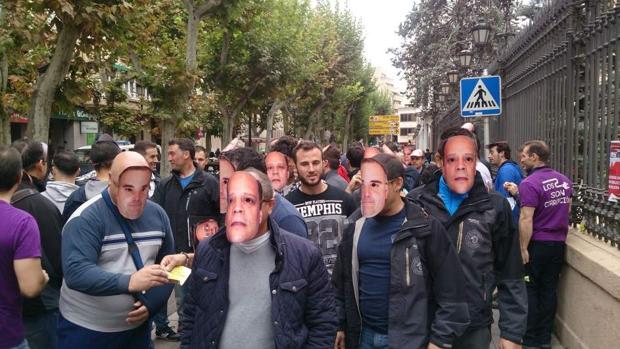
(487, 242)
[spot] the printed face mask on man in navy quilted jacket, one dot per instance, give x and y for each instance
(243, 215)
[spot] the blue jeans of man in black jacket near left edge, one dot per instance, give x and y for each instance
(41, 330)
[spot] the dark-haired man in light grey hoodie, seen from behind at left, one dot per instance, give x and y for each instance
(65, 167)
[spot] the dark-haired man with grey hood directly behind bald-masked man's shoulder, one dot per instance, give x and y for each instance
(101, 154)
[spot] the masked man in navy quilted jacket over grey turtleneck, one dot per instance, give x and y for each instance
(253, 284)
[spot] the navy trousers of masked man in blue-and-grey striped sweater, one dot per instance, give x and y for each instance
(71, 335)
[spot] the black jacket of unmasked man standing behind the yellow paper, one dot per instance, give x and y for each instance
(187, 207)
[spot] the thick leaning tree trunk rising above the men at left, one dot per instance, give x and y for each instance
(43, 96)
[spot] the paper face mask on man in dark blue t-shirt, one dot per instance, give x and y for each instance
(374, 189)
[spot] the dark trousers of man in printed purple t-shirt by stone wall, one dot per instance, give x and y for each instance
(543, 271)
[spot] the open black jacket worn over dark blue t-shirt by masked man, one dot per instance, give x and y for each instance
(427, 299)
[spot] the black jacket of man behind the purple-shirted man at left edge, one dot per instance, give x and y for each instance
(50, 223)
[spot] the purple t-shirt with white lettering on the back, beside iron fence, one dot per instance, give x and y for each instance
(549, 192)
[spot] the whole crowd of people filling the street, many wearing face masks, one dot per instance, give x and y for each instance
(304, 246)
